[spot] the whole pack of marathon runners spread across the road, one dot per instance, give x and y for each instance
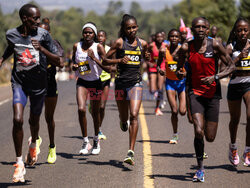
(189, 68)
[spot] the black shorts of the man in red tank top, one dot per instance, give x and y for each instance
(209, 107)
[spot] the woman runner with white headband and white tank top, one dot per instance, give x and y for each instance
(87, 56)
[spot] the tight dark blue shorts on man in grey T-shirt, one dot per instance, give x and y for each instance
(20, 96)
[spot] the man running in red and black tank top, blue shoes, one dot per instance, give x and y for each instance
(204, 85)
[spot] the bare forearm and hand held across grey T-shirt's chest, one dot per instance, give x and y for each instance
(55, 59)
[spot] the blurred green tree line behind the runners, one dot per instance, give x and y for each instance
(66, 25)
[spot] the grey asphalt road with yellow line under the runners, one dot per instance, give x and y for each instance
(158, 163)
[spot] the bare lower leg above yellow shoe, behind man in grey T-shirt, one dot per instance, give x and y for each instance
(50, 105)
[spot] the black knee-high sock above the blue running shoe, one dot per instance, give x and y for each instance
(199, 150)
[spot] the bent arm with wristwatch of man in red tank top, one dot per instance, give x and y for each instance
(225, 59)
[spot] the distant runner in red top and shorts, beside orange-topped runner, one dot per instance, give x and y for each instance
(156, 80)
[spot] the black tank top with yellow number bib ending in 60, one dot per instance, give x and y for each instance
(129, 74)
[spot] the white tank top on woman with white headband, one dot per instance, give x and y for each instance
(88, 69)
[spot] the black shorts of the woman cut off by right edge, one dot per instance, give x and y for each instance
(236, 91)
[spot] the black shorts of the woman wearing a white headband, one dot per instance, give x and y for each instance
(94, 87)
